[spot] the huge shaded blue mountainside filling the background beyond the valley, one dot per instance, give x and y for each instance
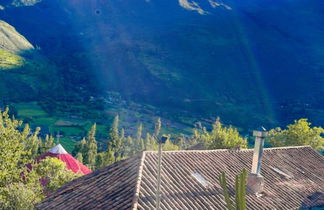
(251, 62)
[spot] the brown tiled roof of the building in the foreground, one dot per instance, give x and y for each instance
(292, 175)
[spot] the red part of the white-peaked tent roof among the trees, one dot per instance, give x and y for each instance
(71, 163)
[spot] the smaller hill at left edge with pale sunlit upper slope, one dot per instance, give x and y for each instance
(30, 73)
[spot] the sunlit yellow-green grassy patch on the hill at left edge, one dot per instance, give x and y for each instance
(9, 60)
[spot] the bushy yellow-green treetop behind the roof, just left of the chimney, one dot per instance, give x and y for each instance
(220, 137)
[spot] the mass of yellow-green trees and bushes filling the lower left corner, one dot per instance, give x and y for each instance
(20, 187)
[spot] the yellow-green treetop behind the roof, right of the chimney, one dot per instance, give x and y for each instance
(299, 133)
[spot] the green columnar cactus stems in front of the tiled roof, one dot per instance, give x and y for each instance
(240, 191)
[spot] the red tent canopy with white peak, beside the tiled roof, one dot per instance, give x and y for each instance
(71, 163)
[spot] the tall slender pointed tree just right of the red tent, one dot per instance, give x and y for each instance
(91, 147)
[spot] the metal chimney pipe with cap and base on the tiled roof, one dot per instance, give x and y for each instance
(255, 180)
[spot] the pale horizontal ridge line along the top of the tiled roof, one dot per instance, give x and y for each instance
(223, 150)
